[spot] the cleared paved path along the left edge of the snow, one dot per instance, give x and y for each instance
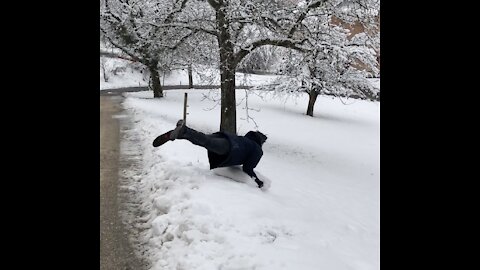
(116, 252)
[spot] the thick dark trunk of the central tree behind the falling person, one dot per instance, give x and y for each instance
(228, 116)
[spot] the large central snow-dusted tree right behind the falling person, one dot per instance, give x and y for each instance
(240, 27)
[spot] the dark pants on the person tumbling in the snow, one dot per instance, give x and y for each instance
(212, 142)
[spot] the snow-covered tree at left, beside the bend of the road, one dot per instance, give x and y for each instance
(127, 26)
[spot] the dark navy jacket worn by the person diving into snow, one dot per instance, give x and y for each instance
(244, 150)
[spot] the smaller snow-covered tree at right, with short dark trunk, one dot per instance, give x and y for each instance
(334, 62)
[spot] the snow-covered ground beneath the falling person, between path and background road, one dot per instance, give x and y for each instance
(322, 209)
